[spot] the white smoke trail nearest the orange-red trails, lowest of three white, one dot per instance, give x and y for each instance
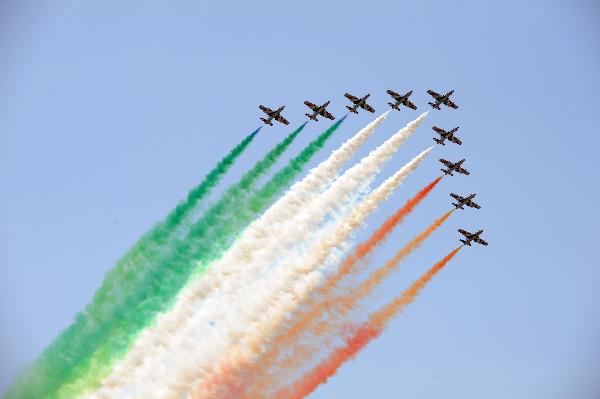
(290, 284)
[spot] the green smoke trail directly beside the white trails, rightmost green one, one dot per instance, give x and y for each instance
(209, 238)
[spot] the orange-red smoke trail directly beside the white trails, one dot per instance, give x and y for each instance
(323, 301)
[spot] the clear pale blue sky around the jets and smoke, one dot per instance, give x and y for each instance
(111, 111)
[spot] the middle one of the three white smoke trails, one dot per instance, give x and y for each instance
(185, 350)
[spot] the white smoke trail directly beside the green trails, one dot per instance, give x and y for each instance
(154, 339)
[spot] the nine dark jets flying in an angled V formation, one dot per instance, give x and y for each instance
(398, 101)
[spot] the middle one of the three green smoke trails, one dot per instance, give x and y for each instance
(111, 327)
